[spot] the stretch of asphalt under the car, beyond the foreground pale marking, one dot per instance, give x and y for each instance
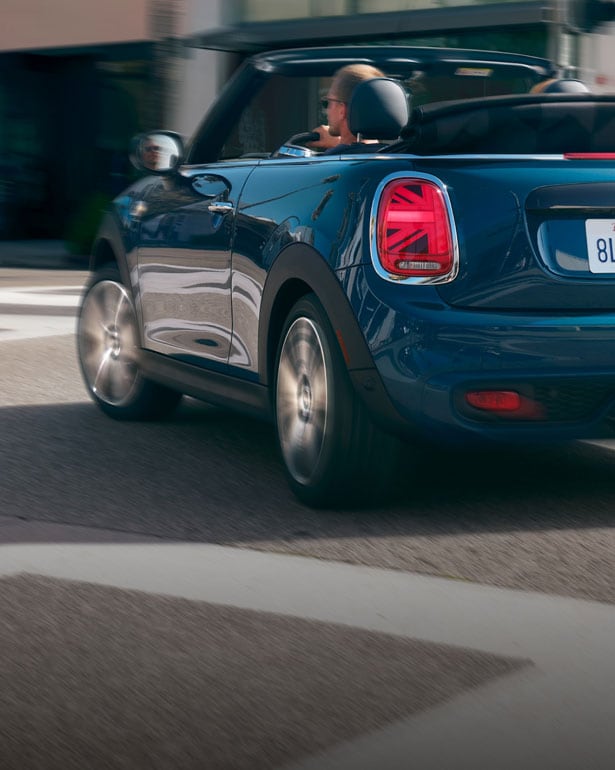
(531, 518)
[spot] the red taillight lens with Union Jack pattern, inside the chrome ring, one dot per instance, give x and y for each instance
(414, 235)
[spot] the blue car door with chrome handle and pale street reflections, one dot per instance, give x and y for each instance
(184, 262)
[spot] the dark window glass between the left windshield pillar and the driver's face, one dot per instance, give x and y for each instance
(282, 107)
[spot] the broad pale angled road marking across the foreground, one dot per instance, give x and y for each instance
(557, 712)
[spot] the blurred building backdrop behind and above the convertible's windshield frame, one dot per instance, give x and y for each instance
(78, 78)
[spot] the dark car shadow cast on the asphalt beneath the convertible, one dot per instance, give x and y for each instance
(208, 473)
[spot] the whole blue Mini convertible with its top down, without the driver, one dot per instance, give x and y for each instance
(452, 280)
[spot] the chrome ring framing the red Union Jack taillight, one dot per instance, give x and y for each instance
(373, 231)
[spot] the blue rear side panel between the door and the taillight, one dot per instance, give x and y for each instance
(320, 205)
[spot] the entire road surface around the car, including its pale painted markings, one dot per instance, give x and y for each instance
(156, 609)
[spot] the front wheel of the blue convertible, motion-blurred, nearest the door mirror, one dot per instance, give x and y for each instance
(107, 347)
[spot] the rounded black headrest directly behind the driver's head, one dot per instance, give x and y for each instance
(378, 109)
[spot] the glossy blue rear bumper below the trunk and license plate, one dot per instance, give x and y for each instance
(429, 355)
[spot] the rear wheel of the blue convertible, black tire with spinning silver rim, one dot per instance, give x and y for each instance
(333, 453)
